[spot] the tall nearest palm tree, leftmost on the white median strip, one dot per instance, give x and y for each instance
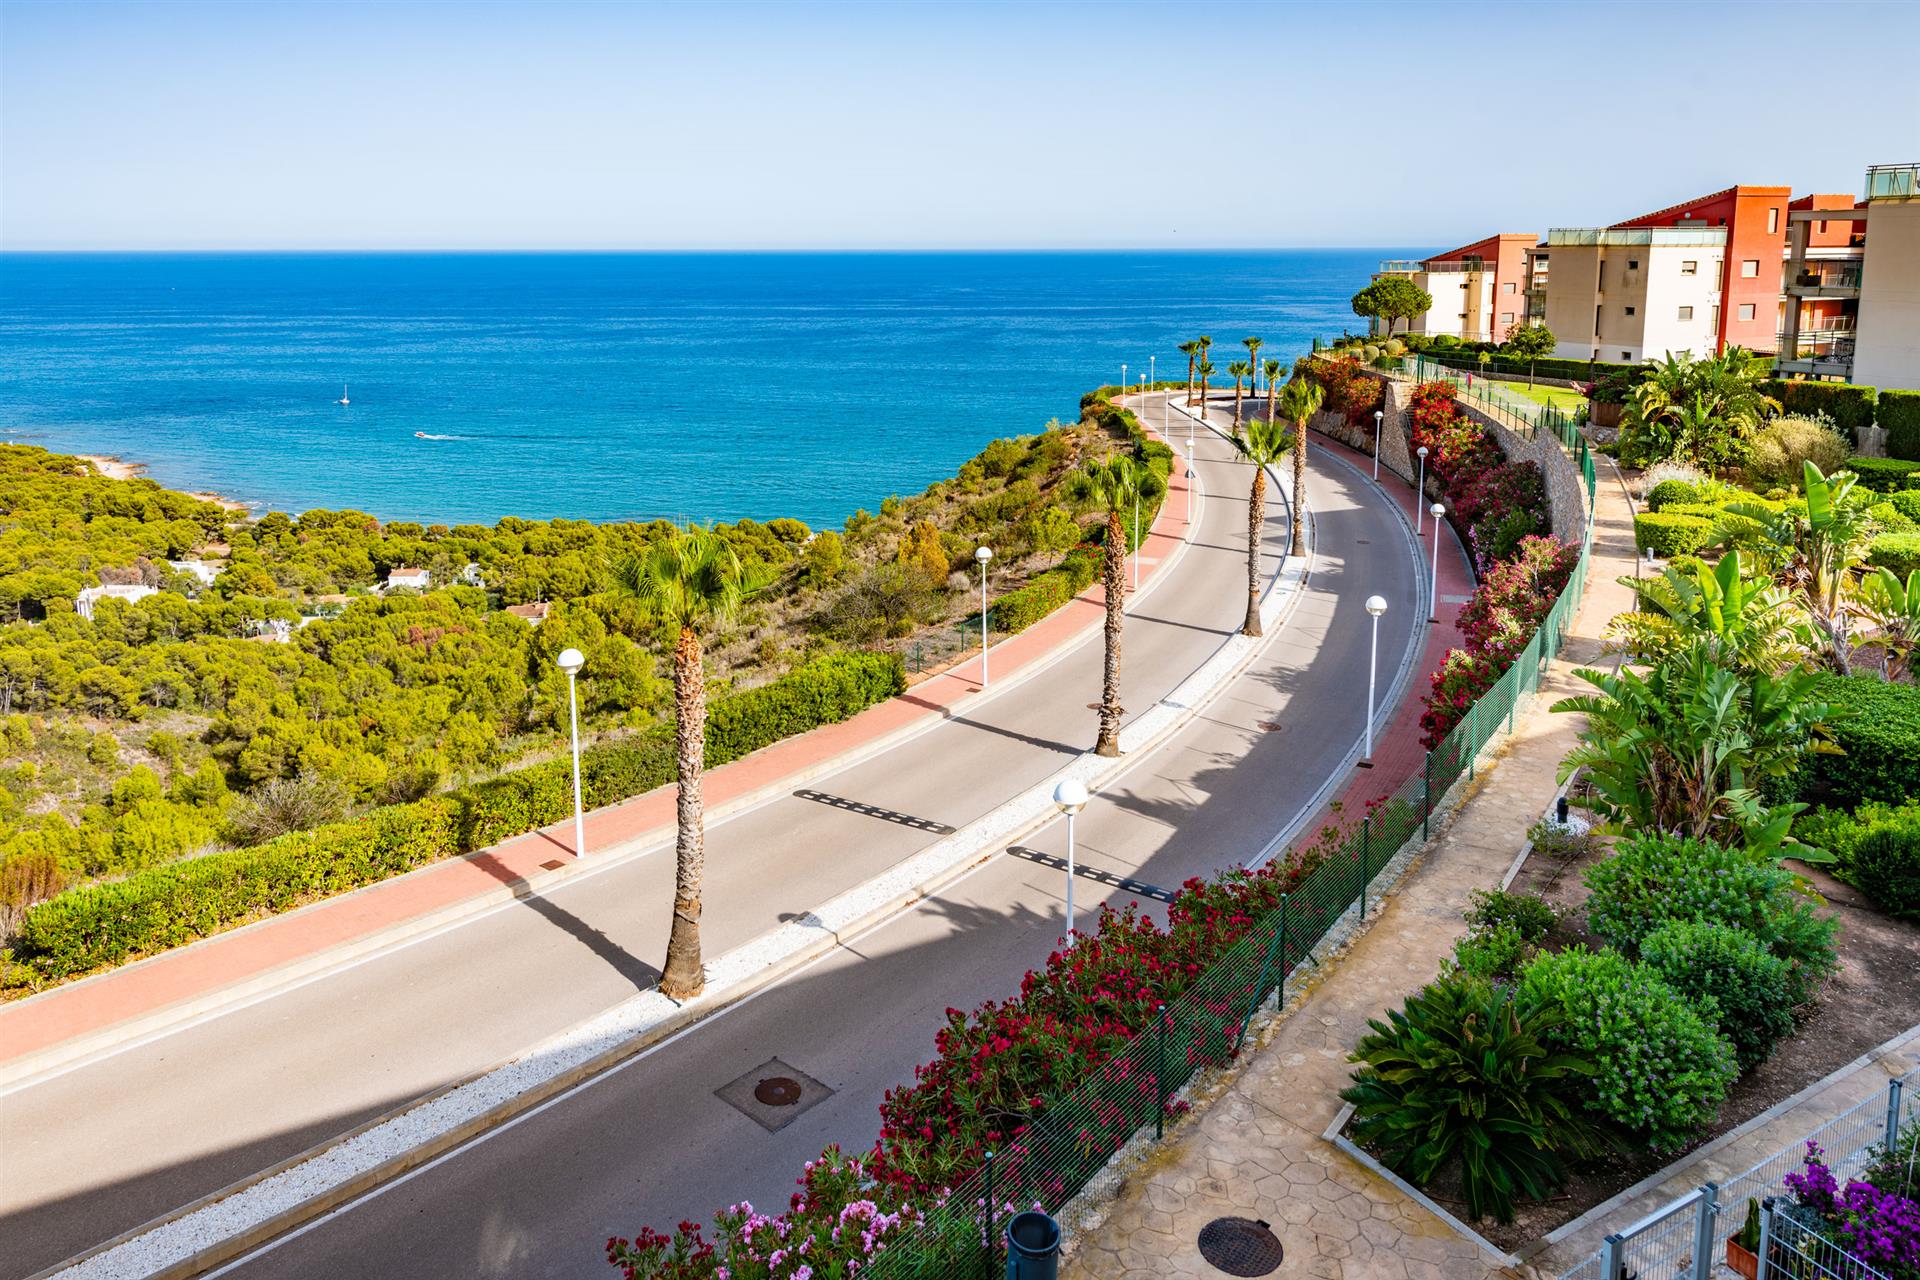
(688, 581)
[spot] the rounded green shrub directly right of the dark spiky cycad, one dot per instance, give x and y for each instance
(1664, 1070)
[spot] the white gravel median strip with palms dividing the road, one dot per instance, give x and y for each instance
(252, 1212)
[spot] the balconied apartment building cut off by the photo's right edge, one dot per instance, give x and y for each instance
(1854, 285)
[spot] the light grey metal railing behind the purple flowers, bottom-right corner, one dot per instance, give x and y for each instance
(1687, 1239)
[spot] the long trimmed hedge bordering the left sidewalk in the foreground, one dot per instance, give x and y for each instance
(166, 907)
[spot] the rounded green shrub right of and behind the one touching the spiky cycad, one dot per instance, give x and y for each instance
(1725, 968)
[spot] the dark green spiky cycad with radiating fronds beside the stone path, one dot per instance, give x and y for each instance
(1464, 1078)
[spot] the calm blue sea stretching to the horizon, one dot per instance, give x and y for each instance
(610, 387)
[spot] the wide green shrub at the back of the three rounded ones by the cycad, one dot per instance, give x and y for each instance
(1654, 880)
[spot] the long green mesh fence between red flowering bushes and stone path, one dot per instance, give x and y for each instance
(1070, 1139)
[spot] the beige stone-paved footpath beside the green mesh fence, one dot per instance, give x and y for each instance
(1259, 1150)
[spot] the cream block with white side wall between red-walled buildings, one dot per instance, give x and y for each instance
(1627, 295)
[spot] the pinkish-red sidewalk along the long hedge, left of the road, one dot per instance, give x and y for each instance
(285, 947)
